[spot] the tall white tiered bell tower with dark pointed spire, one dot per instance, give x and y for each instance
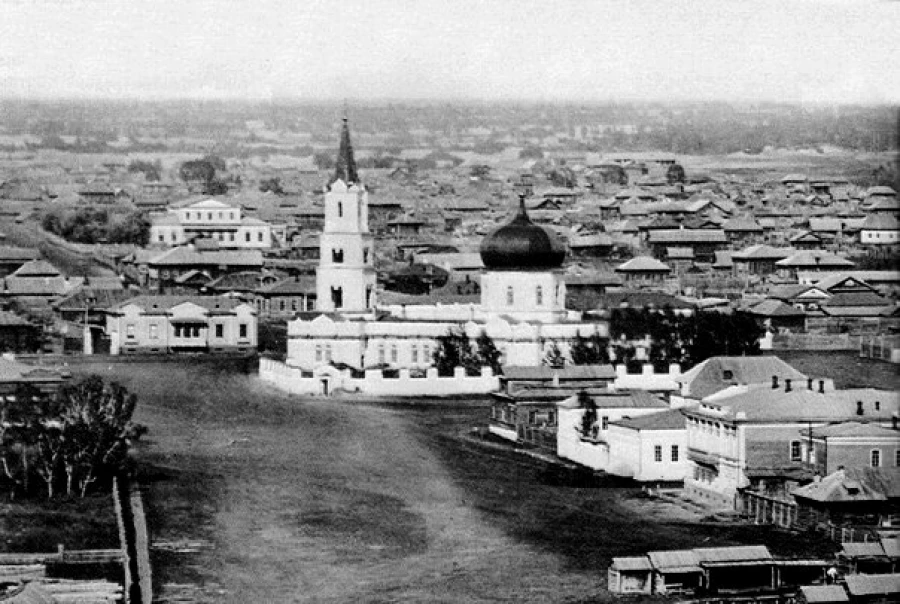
(345, 279)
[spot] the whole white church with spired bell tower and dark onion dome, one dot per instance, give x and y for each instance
(522, 306)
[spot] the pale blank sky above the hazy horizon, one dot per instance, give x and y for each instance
(781, 50)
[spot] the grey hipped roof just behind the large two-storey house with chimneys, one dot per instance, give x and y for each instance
(709, 376)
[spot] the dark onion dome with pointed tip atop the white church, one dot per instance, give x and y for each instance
(522, 245)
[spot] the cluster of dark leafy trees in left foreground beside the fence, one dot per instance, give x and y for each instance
(66, 443)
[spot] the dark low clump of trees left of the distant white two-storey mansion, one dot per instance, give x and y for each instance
(97, 225)
